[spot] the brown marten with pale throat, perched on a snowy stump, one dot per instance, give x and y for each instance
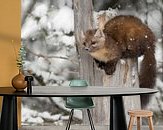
(124, 37)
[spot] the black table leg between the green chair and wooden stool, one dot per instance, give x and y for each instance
(117, 114)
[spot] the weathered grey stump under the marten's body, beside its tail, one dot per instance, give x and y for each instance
(126, 75)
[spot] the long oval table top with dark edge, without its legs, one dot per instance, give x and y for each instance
(66, 91)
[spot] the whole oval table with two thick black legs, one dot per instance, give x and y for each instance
(117, 114)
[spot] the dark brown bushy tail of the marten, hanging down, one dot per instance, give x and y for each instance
(147, 73)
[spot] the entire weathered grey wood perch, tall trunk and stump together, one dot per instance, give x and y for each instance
(125, 75)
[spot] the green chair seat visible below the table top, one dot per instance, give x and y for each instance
(79, 102)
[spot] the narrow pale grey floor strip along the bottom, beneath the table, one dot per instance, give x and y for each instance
(79, 127)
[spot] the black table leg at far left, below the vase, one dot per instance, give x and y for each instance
(9, 113)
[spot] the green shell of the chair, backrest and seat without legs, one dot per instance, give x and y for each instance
(79, 102)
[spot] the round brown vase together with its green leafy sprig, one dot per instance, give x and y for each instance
(18, 81)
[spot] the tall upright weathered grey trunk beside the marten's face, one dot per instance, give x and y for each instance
(83, 21)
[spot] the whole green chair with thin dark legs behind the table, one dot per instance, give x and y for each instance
(79, 103)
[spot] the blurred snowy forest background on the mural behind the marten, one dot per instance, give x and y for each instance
(48, 36)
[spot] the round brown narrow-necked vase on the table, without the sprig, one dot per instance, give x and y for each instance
(18, 82)
